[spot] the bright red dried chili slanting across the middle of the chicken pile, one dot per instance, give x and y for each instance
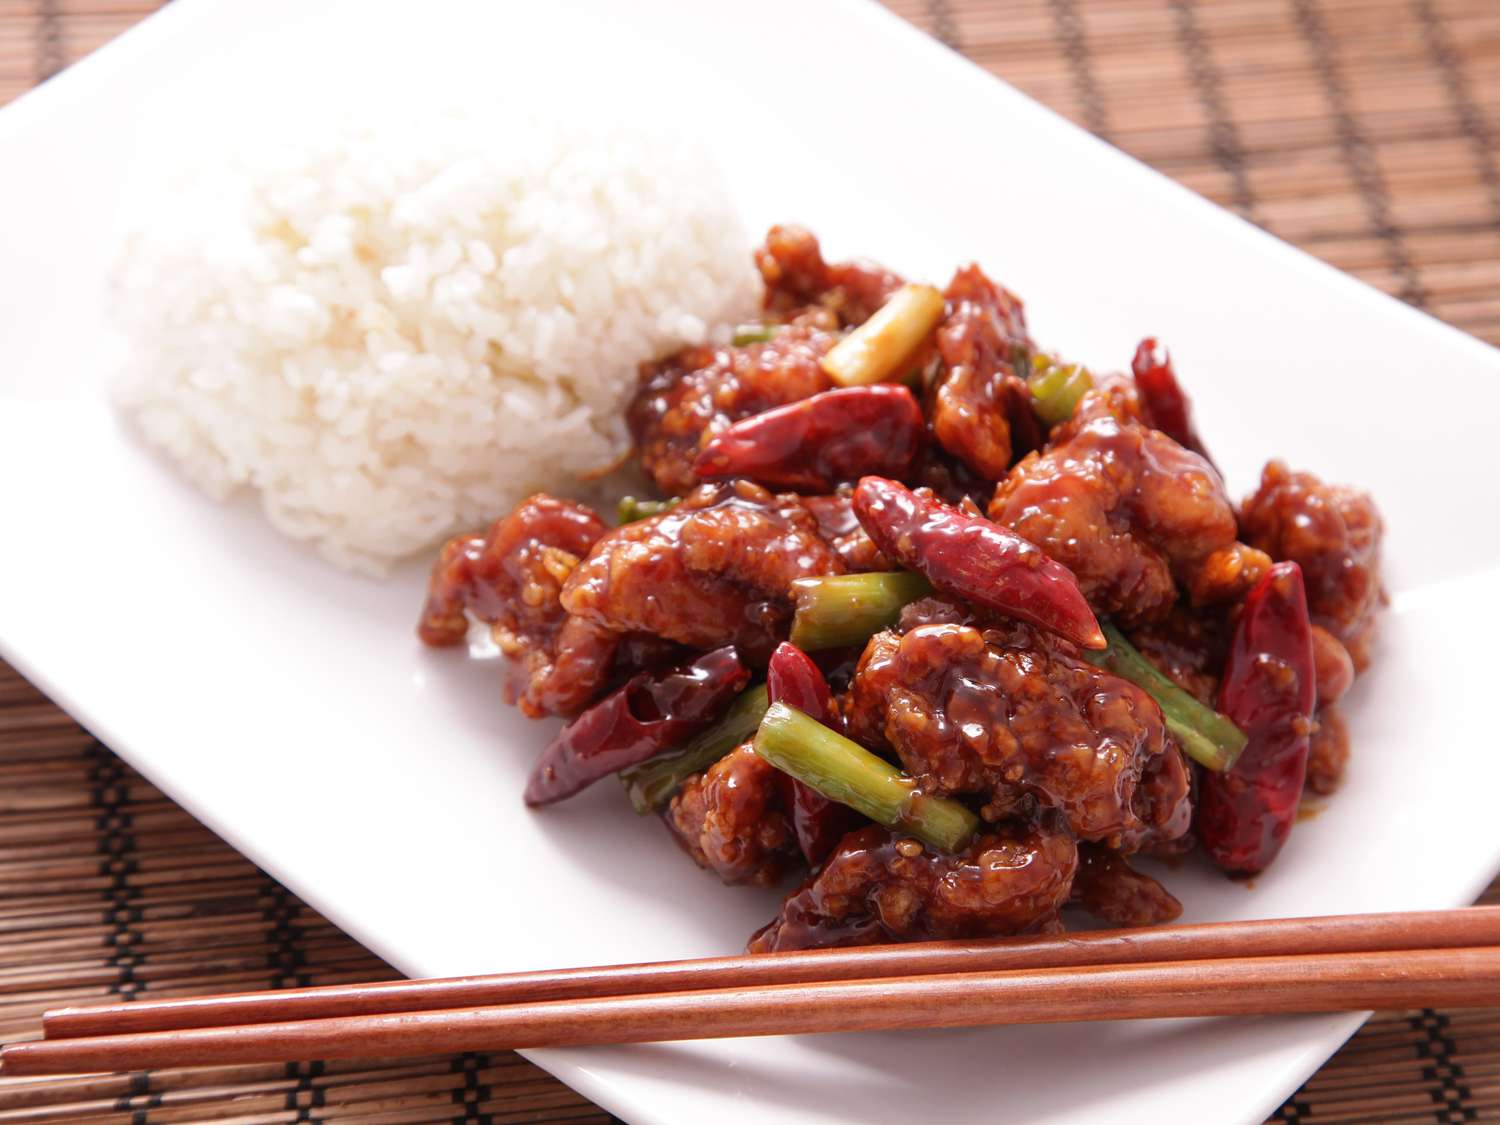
(974, 559)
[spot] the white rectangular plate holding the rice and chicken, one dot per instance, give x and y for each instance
(292, 709)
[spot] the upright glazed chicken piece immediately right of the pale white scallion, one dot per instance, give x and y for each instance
(980, 409)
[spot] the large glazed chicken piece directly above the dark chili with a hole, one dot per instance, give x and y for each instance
(713, 571)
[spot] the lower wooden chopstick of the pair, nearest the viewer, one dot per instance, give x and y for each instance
(1243, 986)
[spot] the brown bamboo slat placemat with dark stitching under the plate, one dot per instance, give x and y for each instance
(1360, 130)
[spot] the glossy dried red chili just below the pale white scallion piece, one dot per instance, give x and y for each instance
(820, 442)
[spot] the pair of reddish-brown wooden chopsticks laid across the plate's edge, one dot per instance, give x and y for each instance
(1261, 968)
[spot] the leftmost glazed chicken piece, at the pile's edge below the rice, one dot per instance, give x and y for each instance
(511, 580)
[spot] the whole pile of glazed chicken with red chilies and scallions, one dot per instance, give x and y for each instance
(1022, 775)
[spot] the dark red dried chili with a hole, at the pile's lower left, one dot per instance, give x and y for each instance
(649, 715)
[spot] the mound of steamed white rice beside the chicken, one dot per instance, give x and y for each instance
(395, 332)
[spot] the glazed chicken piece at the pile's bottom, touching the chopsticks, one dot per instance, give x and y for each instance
(878, 887)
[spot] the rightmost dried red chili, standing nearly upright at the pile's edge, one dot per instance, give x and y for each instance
(1270, 691)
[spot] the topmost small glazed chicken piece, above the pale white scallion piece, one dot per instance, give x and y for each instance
(797, 278)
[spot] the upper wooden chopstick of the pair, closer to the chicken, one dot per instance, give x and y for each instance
(1276, 938)
